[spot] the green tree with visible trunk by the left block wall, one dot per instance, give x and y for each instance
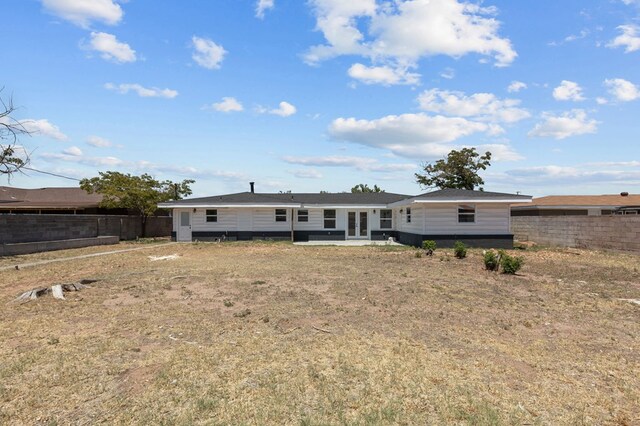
(138, 193)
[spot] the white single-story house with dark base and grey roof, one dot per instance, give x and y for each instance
(477, 218)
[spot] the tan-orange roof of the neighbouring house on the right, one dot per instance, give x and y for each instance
(581, 201)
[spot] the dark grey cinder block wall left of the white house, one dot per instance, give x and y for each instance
(35, 228)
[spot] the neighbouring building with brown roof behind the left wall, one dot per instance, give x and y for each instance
(51, 201)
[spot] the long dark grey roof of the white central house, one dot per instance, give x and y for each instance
(366, 199)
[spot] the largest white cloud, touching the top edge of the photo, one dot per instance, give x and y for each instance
(402, 32)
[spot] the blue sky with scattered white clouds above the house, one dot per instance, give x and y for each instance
(324, 94)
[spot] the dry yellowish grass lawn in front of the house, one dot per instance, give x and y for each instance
(271, 333)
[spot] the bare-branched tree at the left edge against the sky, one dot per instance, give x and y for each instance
(12, 156)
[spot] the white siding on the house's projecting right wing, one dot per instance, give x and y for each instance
(442, 219)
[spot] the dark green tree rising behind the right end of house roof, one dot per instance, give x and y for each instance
(458, 170)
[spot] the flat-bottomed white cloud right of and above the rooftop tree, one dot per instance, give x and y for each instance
(570, 123)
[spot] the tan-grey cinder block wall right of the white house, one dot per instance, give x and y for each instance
(594, 232)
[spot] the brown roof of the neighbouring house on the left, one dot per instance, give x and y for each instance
(47, 198)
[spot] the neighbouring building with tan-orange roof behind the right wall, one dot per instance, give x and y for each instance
(579, 205)
